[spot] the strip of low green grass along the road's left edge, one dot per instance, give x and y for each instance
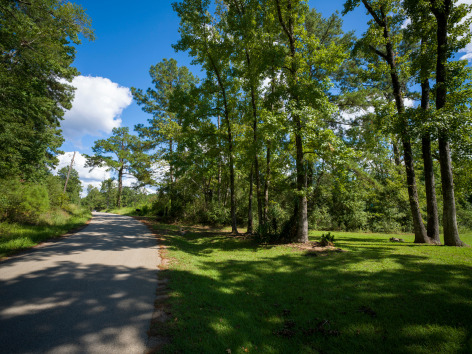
(16, 237)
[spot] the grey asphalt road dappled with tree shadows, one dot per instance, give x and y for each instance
(92, 292)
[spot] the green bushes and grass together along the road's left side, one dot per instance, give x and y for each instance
(31, 213)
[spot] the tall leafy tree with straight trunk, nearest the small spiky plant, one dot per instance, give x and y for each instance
(304, 53)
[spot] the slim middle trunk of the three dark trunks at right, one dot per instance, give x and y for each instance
(431, 201)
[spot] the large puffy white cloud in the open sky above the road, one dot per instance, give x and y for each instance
(96, 108)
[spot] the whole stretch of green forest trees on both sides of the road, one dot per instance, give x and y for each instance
(291, 125)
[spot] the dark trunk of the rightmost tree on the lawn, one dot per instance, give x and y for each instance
(451, 233)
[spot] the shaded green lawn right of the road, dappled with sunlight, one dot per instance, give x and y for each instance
(378, 297)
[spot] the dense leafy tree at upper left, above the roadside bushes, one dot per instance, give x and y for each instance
(37, 49)
